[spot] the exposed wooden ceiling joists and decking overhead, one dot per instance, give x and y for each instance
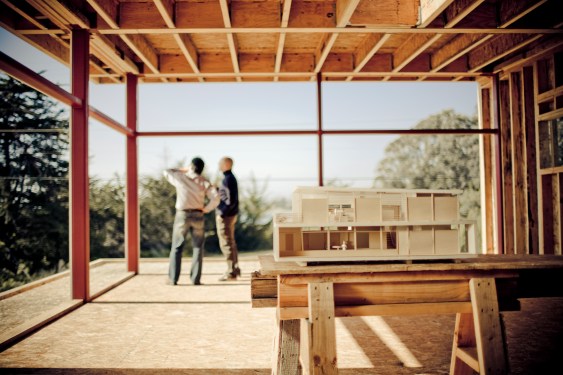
(288, 40)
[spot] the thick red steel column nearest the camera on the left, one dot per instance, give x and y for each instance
(79, 206)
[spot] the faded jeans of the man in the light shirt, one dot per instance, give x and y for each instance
(184, 222)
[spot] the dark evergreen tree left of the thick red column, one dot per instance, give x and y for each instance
(34, 183)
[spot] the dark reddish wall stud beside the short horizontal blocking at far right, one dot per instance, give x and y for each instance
(528, 104)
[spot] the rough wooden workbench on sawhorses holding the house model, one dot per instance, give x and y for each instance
(308, 298)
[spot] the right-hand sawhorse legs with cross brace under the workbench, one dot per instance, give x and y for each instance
(478, 340)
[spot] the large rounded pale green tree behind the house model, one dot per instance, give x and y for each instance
(436, 161)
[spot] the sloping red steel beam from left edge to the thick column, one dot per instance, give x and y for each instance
(22, 73)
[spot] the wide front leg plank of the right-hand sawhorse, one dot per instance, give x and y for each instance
(488, 331)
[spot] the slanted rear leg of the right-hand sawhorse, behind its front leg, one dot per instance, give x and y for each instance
(464, 337)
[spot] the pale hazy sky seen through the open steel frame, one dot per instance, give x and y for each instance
(277, 163)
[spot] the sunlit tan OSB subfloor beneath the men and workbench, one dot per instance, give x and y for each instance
(146, 327)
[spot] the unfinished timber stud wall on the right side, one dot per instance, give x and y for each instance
(519, 101)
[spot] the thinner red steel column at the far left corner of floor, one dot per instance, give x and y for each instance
(132, 190)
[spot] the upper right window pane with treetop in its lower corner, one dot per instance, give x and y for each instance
(396, 105)
